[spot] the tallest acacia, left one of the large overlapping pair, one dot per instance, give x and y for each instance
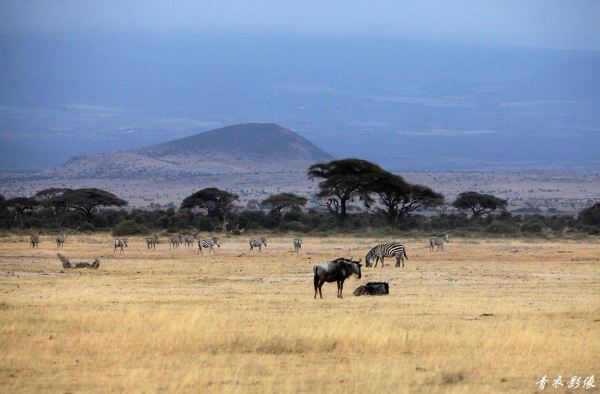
(343, 180)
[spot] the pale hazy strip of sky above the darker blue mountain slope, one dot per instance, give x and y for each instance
(565, 24)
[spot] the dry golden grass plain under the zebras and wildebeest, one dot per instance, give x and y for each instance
(150, 321)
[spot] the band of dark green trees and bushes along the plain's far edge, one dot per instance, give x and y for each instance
(387, 201)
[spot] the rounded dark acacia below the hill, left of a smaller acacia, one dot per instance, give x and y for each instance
(214, 202)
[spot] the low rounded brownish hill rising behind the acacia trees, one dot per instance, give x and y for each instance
(239, 149)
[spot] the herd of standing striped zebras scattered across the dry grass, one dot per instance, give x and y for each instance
(379, 252)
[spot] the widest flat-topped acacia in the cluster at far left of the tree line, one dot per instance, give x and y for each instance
(86, 200)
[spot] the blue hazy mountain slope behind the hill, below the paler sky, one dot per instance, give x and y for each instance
(407, 105)
